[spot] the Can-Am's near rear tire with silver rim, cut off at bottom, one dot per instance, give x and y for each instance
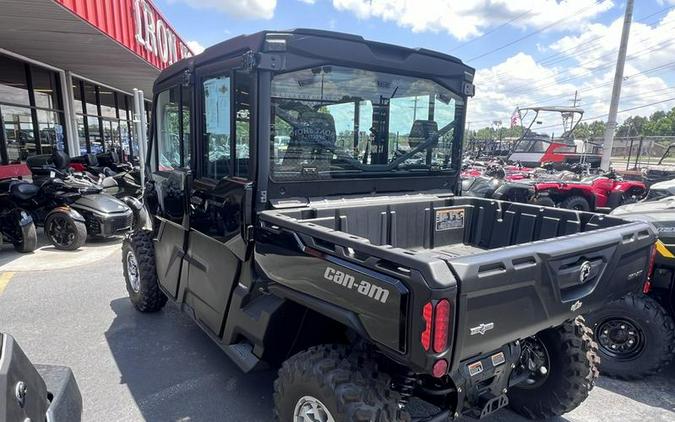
(332, 383)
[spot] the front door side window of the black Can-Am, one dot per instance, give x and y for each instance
(168, 129)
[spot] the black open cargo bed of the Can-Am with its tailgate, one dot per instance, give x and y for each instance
(515, 266)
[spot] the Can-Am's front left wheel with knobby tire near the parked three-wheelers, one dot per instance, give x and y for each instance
(140, 273)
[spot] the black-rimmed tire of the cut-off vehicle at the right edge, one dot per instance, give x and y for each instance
(643, 347)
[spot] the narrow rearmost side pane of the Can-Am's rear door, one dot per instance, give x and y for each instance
(242, 104)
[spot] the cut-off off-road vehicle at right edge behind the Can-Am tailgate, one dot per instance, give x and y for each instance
(636, 334)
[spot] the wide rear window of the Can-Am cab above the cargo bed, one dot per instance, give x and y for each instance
(335, 122)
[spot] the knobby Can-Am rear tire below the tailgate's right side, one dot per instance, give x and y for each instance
(571, 376)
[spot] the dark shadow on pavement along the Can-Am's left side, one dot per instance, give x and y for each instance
(175, 372)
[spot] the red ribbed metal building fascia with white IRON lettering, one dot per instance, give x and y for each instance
(135, 24)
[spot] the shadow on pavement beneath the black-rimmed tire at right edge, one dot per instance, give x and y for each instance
(656, 391)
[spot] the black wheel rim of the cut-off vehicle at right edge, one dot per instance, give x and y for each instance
(620, 338)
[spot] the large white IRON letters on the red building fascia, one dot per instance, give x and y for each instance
(153, 34)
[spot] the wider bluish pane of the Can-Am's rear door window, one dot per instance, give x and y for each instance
(217, 133)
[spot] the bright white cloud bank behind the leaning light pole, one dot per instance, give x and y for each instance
(584, 63)
